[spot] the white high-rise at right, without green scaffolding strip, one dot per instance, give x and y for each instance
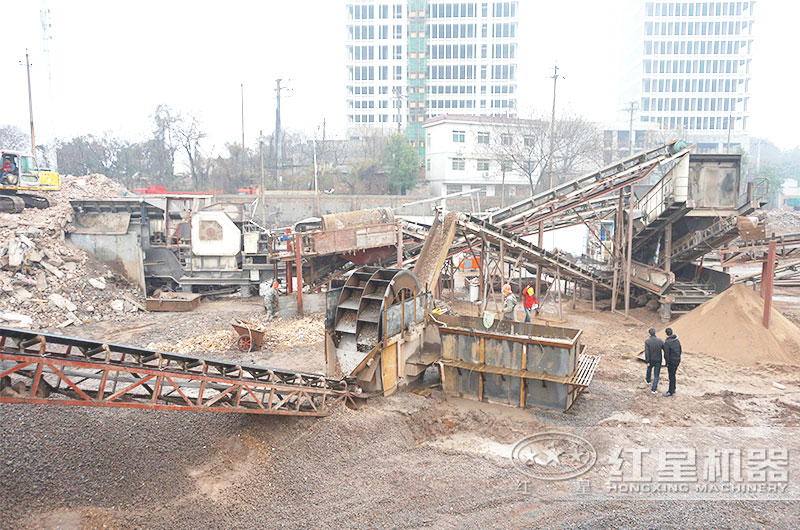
(692, 69)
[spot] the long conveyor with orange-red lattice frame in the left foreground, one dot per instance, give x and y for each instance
(45, 368)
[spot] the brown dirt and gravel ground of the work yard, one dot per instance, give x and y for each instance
(404, 461)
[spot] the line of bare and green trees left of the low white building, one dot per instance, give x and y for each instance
(176, 154)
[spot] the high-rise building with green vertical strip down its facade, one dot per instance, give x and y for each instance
(409, 60)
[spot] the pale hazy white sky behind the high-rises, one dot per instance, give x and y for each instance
(113, 62)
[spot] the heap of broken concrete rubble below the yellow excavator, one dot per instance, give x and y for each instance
(46, 282)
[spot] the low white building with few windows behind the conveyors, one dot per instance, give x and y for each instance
(462, 154)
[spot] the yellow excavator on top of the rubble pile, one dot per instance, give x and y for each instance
(19, 173)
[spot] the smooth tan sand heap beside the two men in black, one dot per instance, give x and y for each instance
(729, 327)
